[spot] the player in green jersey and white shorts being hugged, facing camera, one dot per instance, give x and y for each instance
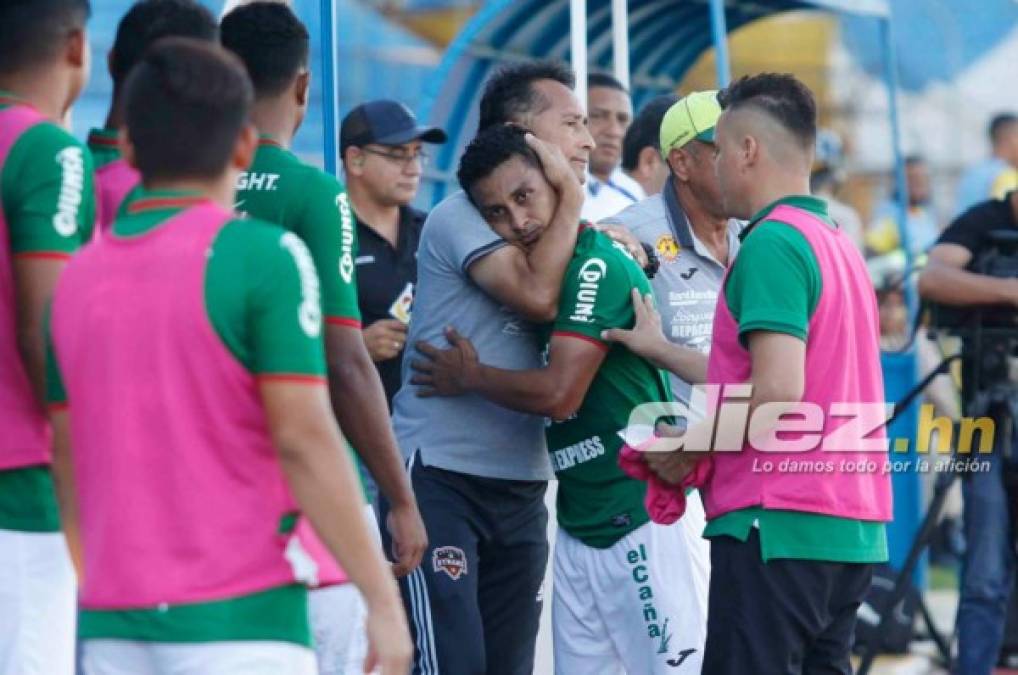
(628, 592)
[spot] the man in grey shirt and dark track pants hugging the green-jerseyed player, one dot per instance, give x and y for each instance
(480, 471)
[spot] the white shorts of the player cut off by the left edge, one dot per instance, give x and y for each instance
(38, 592)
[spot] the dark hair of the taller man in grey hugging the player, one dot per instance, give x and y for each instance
(510, 94)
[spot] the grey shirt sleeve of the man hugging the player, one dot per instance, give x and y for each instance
(461, 234)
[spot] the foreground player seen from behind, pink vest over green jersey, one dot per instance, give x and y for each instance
(187, 378)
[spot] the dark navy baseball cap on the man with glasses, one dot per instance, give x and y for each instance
(384, 123)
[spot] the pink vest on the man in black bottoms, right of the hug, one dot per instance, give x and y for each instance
(842, 366)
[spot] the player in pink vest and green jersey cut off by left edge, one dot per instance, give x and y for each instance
(47, 214)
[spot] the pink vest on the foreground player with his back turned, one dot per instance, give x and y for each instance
(180, 489)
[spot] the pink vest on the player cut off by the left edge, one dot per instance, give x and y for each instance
(26, 437)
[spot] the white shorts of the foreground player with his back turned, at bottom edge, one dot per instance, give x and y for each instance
(122, 657)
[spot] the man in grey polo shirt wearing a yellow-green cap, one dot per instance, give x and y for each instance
(694, 239)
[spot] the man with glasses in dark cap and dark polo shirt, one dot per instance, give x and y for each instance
(382, 148)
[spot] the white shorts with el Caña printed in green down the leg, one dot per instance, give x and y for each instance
(639, 607)
